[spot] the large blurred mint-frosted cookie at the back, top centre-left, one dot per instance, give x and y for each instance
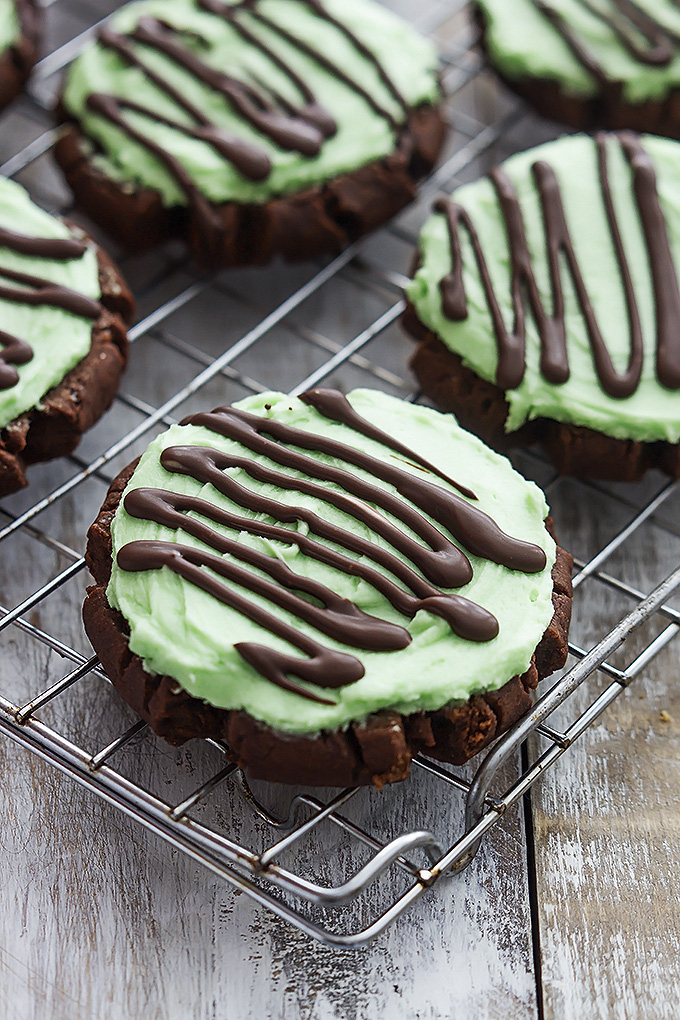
(250, 130)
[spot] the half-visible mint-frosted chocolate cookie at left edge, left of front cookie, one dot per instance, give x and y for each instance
(64, 345)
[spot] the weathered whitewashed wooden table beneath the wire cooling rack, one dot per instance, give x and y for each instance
(569, 910)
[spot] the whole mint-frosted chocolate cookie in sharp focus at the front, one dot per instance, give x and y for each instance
(297, 578)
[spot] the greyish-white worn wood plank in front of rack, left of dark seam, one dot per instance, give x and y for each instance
(98, 921)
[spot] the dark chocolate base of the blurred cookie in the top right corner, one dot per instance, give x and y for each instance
(608, 110)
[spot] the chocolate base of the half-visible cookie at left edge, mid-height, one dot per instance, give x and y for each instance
(54, 428)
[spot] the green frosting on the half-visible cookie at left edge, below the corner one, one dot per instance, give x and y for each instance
(59, 339)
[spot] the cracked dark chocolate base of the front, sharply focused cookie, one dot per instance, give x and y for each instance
(377, 751)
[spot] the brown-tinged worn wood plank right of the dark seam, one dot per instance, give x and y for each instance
(606, 821)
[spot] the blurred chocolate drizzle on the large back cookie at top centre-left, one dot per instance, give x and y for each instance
(301, 128)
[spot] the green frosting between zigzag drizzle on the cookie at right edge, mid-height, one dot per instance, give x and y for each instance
(653, 413)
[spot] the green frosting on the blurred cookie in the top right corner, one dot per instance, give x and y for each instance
(521, 42)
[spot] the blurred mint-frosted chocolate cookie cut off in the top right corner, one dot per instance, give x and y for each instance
(590, 65)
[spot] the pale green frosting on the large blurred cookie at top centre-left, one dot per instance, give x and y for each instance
(363, 136)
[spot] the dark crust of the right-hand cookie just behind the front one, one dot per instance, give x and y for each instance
(482, 409)
